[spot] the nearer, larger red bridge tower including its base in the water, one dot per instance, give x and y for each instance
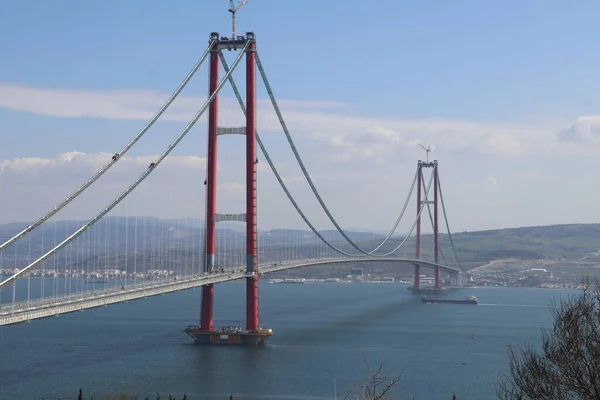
(205, 333)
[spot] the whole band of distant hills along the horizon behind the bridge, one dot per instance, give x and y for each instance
(569, 242)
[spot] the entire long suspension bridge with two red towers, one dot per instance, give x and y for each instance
(55, 266)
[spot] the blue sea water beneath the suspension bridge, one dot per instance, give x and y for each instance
(324, 334)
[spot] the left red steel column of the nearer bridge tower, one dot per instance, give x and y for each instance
(206, 318)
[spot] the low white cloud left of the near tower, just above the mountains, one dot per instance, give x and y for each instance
(32, 186)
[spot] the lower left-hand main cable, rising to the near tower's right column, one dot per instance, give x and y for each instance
(139, 180)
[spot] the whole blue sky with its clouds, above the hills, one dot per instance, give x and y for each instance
(490, 85)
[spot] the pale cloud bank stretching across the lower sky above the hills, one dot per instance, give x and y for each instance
(494, 174)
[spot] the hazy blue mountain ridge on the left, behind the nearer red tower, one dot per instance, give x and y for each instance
(110, 239)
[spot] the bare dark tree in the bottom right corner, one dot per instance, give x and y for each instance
(568, 365)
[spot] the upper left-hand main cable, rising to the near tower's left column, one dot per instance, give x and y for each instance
(114, 158)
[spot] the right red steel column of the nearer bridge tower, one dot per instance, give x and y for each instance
(252, 253)
